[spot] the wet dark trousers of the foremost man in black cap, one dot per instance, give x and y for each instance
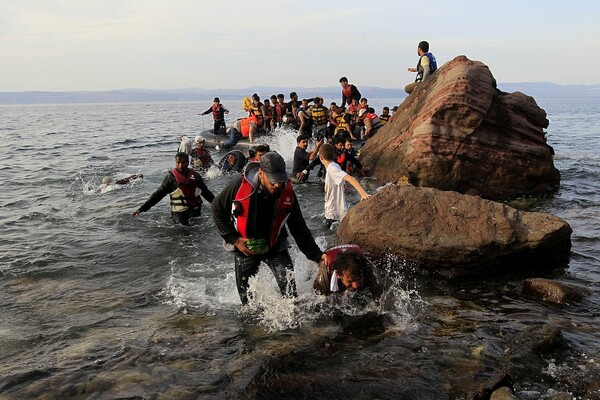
(281, 266)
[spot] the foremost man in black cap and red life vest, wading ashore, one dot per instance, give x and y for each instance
(253, 214)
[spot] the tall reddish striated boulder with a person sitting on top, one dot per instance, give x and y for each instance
(457, 132)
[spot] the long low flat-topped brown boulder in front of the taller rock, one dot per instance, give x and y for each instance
(452, 234)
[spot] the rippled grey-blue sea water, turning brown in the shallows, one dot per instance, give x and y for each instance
(97, 304)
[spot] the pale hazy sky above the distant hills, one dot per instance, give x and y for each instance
(66, 45)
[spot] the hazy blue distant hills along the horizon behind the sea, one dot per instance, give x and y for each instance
(541, 89)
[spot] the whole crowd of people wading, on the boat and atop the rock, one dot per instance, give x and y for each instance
(254, 212)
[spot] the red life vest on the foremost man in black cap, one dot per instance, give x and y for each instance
(245, 218)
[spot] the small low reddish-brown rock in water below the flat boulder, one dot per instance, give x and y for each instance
(554, 291)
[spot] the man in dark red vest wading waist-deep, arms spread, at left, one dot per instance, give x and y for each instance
(184, 186)
